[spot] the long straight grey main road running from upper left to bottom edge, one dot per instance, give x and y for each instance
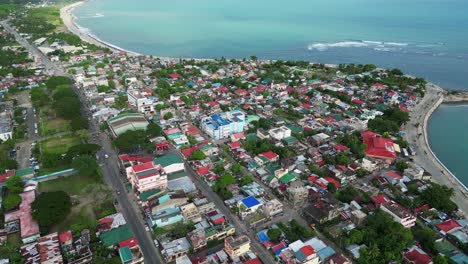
(110, 166)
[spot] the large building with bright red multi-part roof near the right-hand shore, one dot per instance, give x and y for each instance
(378, 147)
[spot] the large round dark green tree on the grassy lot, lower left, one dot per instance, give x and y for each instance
(51, 208)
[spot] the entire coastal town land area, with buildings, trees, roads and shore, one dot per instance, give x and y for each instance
(108, 156)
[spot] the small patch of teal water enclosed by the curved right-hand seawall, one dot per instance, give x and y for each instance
(449, 140)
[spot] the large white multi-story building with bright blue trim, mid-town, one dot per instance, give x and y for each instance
(222, 125)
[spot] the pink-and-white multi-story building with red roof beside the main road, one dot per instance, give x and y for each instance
(147, 176)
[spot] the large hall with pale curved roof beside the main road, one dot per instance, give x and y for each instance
(127, 122)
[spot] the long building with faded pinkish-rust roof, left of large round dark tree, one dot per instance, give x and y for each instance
(22, 220)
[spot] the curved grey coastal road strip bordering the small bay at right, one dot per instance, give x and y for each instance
(416, 136)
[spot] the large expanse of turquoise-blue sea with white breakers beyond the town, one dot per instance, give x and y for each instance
(427, 38)
